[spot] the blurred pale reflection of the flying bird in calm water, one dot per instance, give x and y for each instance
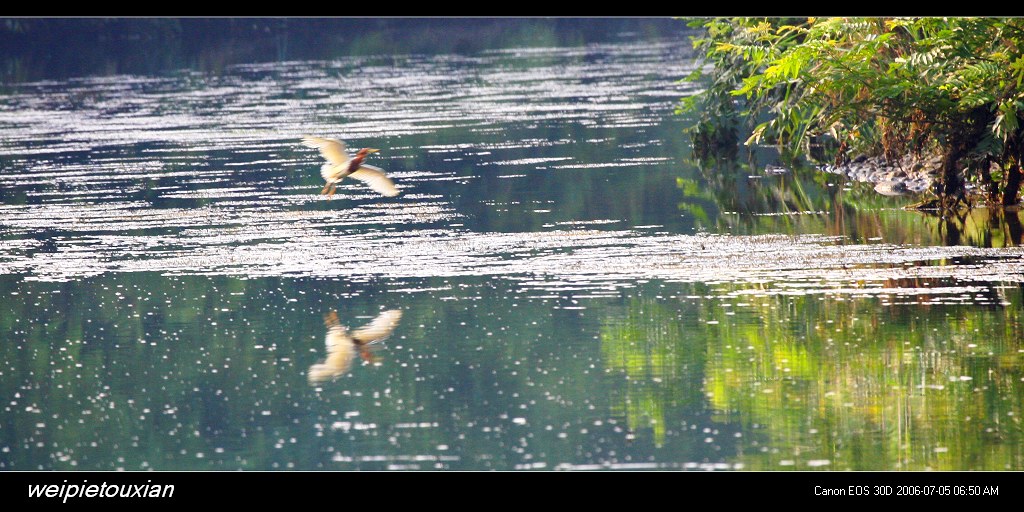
(343, 345)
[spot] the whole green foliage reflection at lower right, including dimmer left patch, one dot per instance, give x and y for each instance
(830, 382)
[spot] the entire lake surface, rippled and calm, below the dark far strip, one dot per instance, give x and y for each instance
(576, 291)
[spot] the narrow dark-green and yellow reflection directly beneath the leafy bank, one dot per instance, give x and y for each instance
(806, 200)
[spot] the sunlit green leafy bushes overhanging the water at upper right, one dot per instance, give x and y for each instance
(947, 94)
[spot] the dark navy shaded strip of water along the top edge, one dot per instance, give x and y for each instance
(54, 49)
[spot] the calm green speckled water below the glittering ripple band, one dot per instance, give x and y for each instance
(210, 373)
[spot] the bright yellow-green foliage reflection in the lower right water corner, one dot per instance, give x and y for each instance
(868, 388)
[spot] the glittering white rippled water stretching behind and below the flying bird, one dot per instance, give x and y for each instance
(203, 176)
